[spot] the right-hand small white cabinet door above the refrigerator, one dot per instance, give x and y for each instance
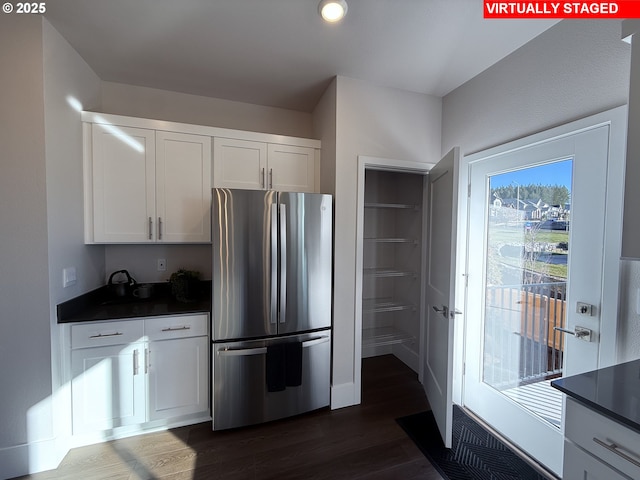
(291, 169)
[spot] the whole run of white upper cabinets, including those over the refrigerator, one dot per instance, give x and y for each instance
(149, 181)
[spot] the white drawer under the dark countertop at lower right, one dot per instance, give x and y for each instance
(606, 439)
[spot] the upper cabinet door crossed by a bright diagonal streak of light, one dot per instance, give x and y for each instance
(123, 184)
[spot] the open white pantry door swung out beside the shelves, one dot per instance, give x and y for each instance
(440, 292)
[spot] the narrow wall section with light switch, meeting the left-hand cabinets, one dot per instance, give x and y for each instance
(69, 86)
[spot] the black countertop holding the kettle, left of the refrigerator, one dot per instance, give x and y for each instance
(100, 304)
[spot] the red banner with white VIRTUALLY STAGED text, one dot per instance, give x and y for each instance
(562, 9)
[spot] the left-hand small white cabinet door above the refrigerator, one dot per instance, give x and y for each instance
(239, 164)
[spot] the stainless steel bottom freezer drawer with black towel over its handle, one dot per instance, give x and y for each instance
(240, 393)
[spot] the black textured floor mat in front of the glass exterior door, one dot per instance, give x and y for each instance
(475, 453)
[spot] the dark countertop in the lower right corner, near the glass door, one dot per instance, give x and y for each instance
(613, 391)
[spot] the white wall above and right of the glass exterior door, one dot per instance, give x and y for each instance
(575, 69)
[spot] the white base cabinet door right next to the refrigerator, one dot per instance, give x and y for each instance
(178, 377)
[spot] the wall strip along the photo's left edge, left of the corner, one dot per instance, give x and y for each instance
(25, 350)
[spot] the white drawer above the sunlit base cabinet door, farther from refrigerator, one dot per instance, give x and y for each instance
(101, 334)
